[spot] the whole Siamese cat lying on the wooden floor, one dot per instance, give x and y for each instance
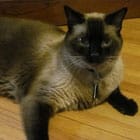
(48, 71)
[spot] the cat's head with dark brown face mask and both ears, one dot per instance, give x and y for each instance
(95, 37)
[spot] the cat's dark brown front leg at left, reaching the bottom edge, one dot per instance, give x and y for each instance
(36, 117)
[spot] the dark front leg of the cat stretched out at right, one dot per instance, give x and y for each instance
(122, 104)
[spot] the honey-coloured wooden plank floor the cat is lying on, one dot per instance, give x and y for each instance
(100, 123)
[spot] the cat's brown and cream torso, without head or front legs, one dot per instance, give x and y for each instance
(38, 63)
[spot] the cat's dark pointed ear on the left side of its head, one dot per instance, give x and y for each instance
(73, 17)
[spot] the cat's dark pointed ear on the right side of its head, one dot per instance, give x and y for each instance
(116, 18)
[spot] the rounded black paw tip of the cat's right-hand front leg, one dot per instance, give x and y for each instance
(129, 108)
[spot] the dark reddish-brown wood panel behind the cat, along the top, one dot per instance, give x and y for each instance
(52, 10)
